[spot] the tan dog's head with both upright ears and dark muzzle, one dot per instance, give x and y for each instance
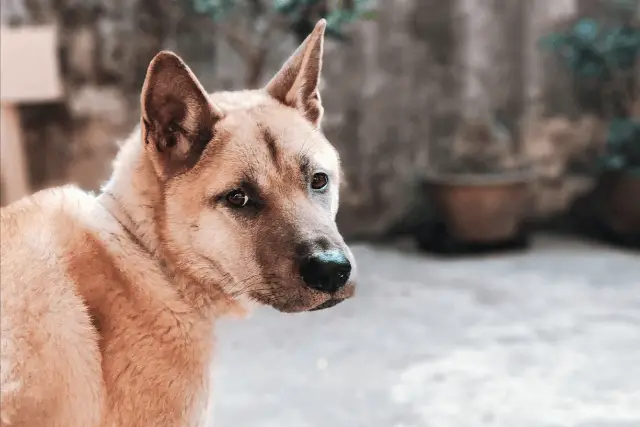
(250, 184)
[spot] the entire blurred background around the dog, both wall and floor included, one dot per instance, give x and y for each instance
(492, 158)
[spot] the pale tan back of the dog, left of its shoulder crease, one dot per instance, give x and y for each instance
(50, 362)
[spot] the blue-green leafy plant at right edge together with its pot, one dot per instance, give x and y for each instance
(603, 61)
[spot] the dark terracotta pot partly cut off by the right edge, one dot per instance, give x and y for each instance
(619, 201)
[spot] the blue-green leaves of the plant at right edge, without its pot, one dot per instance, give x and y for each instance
(602, 60)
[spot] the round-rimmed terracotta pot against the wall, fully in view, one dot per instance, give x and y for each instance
(481, 208)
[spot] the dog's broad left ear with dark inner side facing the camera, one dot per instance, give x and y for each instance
(177, 116)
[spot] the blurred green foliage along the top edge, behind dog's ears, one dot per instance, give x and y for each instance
(250, 26)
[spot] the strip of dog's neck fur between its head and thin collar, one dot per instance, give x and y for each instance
(132, 196)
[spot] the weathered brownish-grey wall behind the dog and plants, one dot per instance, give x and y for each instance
(394, 96)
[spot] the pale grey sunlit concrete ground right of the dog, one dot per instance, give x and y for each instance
(550, 337)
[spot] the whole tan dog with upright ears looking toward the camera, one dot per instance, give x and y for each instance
(109, 303)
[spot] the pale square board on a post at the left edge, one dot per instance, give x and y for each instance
(29, 73)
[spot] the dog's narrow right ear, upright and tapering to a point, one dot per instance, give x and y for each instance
(296, 84)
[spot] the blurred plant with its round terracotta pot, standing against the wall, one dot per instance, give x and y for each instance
(481, 196)
